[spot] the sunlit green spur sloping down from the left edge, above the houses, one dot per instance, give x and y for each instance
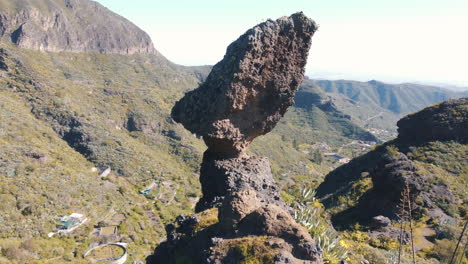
(32, 155)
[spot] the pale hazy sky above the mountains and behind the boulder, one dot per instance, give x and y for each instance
(390, 40)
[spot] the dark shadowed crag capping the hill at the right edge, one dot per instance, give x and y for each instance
(445, 121)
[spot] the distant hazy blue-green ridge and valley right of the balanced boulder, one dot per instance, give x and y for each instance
(377, 106)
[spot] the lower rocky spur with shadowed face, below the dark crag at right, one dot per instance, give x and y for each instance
(394, 178)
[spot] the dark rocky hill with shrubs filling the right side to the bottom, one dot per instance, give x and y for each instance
(426, 164)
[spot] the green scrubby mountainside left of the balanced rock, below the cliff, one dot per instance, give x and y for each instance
(96, 111)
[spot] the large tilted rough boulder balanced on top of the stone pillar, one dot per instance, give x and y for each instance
(247, 92)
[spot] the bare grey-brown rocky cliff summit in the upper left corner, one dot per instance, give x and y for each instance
(70, 25)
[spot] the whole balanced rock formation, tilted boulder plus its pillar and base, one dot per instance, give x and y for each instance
(243, 97)
